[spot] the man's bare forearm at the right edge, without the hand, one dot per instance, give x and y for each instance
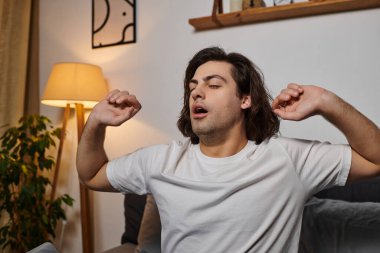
(362, 134)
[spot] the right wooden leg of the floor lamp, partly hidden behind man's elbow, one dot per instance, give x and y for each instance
(86, 215)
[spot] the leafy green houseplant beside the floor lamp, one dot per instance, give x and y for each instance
(28, 214)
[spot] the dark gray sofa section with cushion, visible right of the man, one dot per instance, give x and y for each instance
(343, 219)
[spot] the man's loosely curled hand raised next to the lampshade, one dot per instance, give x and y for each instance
(116, 108)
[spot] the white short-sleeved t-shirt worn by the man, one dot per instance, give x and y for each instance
(249, 202)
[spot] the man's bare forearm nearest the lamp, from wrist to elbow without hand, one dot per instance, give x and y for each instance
(91, 155)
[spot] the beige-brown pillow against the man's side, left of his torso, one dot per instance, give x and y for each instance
(149, 238)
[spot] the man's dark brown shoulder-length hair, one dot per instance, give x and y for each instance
(260, 121)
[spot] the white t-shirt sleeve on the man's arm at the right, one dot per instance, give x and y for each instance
(319, 165)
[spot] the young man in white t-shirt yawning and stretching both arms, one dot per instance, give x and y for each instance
(234, 186)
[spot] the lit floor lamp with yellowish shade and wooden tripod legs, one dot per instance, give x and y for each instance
(79, 86)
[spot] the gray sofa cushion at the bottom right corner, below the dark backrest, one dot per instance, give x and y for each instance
(339, 226)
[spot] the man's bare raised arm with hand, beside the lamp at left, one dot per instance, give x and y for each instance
(113, 110)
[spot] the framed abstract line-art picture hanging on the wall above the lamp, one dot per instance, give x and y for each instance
(113, 22)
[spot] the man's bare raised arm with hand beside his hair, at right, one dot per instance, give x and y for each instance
(298, 102)
